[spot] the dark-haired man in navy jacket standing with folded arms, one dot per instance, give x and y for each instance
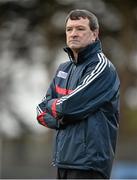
(82, 104)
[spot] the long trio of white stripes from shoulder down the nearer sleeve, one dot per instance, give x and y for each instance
(94, 74)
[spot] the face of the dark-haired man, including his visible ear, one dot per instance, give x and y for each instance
(79, 34)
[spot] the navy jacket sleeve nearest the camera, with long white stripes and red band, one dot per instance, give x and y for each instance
(96, 88)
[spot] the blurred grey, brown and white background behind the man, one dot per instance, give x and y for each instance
(32, 35)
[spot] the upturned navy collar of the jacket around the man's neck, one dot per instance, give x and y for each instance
(85, 53)
